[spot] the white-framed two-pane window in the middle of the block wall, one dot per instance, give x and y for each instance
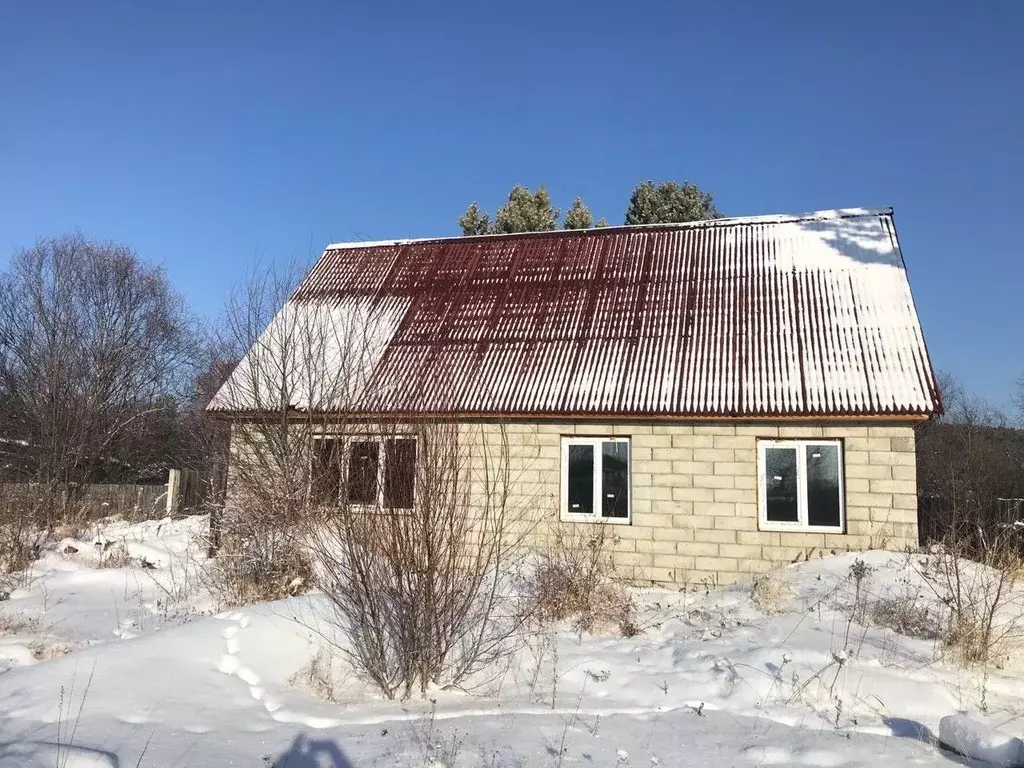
(596, 484)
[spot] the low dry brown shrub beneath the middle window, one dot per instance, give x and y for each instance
(575, 579)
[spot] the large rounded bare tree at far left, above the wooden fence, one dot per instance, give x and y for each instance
(95, 350)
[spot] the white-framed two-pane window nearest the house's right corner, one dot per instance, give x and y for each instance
(800, 486)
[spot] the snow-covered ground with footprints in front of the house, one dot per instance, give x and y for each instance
(135, 666)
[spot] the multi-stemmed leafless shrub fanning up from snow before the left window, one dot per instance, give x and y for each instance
(421, 578)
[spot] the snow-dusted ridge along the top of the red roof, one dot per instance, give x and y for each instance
(773, 219)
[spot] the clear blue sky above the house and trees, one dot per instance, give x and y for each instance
(208, 135)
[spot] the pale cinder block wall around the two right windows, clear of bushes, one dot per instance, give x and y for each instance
(696, 496)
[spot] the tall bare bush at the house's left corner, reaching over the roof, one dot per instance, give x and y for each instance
(300, 361)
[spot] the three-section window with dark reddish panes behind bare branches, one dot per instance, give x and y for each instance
(378, 473)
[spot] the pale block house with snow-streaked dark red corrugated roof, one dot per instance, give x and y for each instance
(731, 395)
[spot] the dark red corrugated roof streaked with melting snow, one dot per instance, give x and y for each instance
(779, 316)
